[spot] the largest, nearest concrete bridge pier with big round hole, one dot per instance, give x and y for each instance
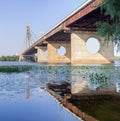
(80, 54)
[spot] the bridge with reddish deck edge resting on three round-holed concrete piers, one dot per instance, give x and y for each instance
(73, 33)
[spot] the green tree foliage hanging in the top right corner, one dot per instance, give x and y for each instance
(110, 32)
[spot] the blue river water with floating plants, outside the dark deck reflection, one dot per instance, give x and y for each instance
(22, 97)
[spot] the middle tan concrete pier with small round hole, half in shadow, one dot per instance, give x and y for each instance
(54, 57)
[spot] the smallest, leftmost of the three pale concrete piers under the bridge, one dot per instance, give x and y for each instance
(41, 57)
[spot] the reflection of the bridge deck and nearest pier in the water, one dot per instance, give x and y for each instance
(83, 98)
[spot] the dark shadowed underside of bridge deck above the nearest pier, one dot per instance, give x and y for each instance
(89, 21)
